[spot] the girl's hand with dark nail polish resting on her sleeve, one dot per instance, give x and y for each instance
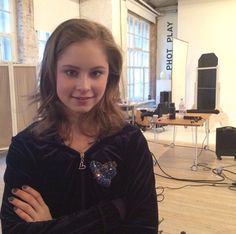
(29, 205)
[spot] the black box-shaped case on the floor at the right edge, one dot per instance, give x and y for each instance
(225, 142)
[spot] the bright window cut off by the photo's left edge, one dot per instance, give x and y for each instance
(5, 31)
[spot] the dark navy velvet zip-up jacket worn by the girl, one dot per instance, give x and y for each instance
(119, 171)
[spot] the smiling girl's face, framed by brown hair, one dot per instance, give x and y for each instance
(82, 75)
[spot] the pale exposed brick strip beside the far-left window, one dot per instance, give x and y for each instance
(26, 35)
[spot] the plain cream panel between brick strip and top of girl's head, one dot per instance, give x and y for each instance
(48, 14)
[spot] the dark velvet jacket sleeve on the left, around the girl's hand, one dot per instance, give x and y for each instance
(103, 217)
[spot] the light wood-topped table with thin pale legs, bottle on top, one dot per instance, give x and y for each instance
(195, 122)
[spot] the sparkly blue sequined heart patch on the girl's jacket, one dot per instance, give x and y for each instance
(104, 172)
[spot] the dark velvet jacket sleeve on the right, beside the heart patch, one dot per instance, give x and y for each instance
(142, 209)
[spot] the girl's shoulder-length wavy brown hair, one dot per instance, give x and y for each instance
(106, 116)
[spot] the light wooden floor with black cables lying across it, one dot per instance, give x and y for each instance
(195, 208)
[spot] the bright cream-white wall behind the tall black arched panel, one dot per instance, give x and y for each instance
(209, 26)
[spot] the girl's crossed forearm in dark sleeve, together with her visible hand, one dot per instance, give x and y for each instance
(32, 215)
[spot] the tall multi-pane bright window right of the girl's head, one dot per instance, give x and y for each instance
(138, 72)
